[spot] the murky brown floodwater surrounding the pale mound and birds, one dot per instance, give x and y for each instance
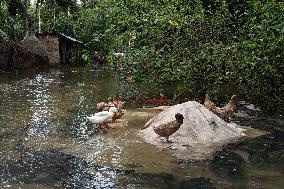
(46, 143)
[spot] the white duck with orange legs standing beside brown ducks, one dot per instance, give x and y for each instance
(103, 116)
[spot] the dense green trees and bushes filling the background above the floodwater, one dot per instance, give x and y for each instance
(196, 47)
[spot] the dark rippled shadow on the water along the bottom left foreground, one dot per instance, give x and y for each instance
(59, 170)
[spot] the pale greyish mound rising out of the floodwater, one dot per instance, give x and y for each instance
(201, 128)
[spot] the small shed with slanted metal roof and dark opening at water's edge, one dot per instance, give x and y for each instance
(60, 47)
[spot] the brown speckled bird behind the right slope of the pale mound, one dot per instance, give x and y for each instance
(226, 112)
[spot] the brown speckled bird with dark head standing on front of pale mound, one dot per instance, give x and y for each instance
(169, 128)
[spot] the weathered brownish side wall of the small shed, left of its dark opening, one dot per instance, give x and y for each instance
(52, 44)
